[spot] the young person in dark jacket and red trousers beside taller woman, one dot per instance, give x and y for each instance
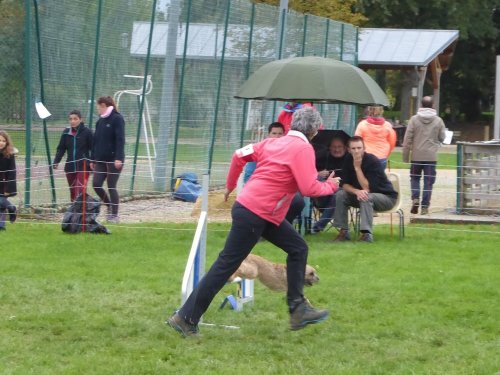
(76, 142)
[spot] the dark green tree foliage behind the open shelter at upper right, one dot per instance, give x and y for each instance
(468, 83)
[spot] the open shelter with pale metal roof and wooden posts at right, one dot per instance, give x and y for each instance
(402, 49)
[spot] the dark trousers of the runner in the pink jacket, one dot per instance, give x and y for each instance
(246, 230)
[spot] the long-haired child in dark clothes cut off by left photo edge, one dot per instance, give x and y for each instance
(8, 186)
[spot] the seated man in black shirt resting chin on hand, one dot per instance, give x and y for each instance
(365, 186)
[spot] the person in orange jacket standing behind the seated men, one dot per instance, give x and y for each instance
(378, 135)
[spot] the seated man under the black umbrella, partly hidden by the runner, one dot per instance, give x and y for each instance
(328, 161)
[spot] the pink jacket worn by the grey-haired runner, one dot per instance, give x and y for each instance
(284, 166)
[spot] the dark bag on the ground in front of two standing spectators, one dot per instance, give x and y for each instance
(72, 219)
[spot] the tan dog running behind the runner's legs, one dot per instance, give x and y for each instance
(272, 275)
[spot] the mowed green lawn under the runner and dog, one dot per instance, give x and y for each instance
(96, 304)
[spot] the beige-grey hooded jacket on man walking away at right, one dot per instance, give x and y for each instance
(423, 136)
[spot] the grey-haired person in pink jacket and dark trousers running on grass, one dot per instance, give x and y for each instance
(284, 166)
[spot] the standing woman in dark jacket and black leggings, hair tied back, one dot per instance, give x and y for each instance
(108, 154)
